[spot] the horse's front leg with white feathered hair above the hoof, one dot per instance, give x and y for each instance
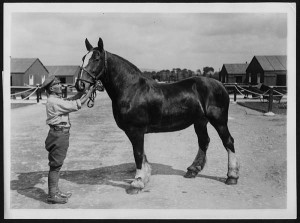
(143, 168)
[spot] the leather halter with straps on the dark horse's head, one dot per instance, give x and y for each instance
(96, 81)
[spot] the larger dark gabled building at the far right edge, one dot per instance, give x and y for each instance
(268, 70)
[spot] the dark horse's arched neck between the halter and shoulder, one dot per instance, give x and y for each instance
(120, 75)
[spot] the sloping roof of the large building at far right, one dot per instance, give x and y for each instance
(271, 63)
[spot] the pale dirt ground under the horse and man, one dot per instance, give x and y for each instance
(100, 164)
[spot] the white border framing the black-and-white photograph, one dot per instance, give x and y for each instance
(289, 213)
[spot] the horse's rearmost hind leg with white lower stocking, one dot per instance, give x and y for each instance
(228, 142)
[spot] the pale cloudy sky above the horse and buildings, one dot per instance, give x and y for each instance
(150, 40)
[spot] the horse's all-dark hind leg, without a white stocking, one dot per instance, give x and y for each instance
(203, 141)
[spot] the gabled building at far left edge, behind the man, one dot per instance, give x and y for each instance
(27, 72)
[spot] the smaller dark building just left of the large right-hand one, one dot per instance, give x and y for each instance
(233, 73)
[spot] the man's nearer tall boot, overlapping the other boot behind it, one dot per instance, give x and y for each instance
(53, 197)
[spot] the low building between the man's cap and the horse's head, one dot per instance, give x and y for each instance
(66, 74)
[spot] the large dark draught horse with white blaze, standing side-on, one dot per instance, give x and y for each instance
(141, 105)
